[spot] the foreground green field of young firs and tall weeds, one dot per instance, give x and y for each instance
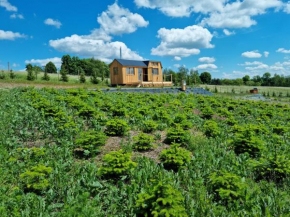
(82, 153)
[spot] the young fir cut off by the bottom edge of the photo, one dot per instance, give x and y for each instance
(160, 200)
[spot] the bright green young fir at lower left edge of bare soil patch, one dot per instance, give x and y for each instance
(116, 164)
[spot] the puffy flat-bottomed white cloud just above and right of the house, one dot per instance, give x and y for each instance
(182, 42)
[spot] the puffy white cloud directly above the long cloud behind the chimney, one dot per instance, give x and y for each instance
(117, 20)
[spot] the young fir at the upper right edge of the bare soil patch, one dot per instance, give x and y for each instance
(177, 135)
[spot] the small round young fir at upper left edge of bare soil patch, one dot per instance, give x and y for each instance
(116, 127)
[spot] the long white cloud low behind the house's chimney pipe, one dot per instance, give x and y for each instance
(93, 47)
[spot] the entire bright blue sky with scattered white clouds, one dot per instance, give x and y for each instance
(228, 38)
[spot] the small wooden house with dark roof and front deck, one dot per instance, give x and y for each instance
(138, 73)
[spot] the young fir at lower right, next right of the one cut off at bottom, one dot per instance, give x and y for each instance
(227, 187)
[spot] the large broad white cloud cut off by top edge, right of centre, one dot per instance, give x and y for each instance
(217, 13)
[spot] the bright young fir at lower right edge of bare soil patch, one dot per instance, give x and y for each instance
(175, 157)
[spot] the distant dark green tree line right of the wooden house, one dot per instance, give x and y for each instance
(193, 77)
